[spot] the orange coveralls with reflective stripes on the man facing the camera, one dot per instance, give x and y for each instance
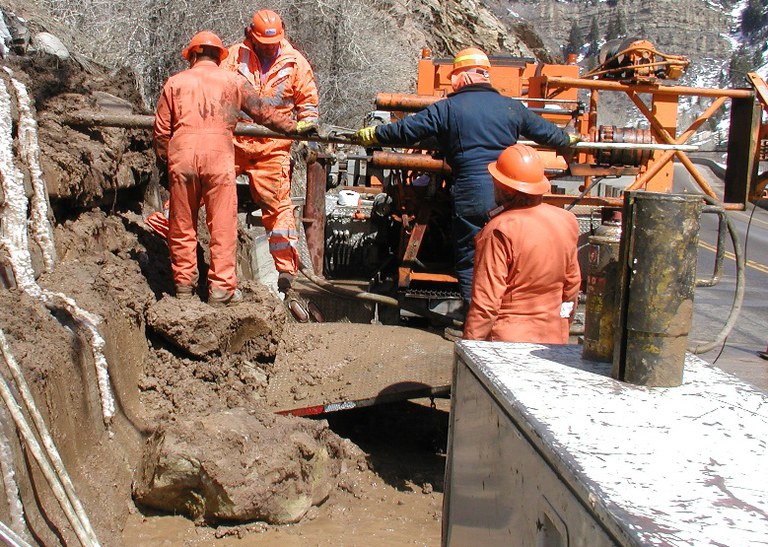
(289, 86)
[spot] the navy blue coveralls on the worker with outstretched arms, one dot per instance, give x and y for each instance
(472, 127)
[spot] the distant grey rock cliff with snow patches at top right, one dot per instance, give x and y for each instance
(705, 31)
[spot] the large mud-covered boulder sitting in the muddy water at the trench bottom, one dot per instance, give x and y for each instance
(239, 466)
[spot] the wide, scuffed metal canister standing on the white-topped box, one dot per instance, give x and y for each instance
(657, 275)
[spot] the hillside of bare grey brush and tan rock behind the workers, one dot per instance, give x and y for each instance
(357, 47)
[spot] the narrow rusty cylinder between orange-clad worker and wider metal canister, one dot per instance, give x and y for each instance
(602, 282)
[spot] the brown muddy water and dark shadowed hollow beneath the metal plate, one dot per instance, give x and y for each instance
(396, 501)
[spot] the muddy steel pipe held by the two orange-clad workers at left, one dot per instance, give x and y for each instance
(134, 121)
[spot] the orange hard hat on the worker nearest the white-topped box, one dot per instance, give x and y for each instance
(520, 168)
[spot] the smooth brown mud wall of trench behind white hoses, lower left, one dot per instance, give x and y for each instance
(59, 367)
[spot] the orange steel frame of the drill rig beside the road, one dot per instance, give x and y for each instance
(560, 85)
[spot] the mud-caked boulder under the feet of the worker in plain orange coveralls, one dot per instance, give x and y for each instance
(203, 330)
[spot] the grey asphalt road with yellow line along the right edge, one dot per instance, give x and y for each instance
(749, 336)
